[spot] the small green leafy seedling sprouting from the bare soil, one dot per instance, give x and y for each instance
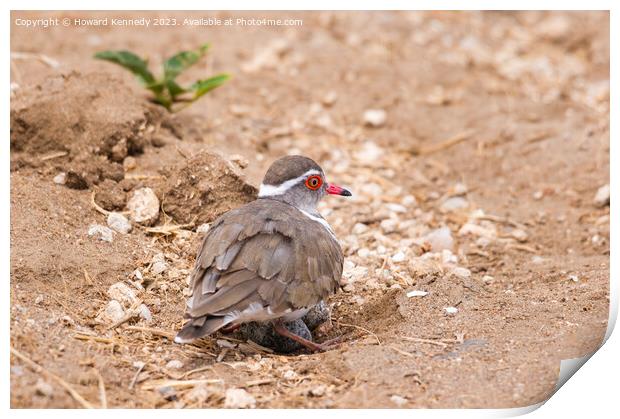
(166, 90)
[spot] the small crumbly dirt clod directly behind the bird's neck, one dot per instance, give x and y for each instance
(204, 188)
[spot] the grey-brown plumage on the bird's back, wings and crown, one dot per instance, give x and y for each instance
(266, 260)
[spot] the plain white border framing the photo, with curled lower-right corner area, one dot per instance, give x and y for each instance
(597, 382)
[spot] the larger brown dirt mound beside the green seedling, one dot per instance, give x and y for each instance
(95, 118)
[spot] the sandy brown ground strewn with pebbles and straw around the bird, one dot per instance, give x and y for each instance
(497, 127)
